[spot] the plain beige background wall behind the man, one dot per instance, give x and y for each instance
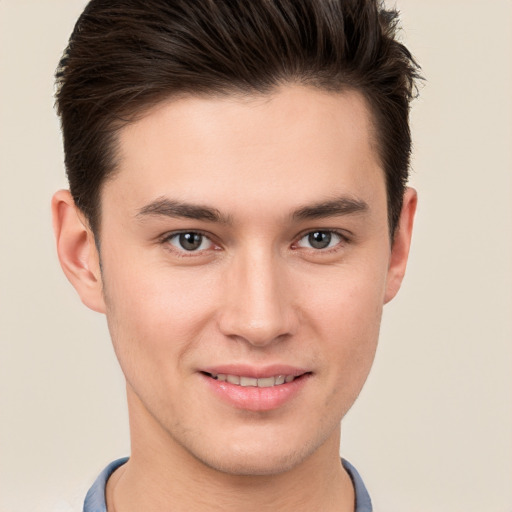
(432, 431)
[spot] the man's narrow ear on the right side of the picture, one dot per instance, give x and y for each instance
(401, 245)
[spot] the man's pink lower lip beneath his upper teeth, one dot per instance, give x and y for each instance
(252, 398)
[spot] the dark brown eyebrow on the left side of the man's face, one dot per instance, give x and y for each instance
(171, 208)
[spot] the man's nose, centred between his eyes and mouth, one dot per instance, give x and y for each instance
(257, 304)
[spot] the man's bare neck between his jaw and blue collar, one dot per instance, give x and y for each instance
(162, 476)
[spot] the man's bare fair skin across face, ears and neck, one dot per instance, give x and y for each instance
(256, 292)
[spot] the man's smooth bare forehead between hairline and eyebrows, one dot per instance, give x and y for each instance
(296, 145)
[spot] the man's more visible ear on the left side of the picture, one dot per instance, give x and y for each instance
(77, 250)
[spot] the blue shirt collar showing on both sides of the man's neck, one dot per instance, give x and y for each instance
(95, 499)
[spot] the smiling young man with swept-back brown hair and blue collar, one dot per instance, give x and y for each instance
(238, 210)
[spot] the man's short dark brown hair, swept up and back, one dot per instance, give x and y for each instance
(126, 55)
